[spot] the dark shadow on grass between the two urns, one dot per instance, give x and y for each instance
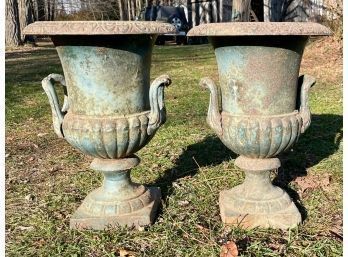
(209, 151)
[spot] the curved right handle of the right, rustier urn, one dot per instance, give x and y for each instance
(305, 82)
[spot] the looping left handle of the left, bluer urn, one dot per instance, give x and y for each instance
(57, 112)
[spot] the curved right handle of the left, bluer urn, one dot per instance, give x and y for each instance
(158, 110)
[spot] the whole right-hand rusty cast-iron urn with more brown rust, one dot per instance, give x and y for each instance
(258, 110)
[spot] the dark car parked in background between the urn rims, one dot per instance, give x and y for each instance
(173, 15)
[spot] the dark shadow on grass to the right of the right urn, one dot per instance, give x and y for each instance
(321, 140)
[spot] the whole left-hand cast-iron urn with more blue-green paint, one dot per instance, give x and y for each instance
(110, 111)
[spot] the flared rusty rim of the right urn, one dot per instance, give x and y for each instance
(260, 29)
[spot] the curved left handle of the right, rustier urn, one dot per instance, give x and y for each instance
(214, 116)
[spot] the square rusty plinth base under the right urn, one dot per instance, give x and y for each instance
(284, 219)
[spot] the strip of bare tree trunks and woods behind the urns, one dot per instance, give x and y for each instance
(20, 13)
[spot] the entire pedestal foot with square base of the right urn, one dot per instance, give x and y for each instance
(257, 202)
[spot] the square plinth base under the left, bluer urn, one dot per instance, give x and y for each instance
(142, 217)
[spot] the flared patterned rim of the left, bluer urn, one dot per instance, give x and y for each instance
(53, 28)
